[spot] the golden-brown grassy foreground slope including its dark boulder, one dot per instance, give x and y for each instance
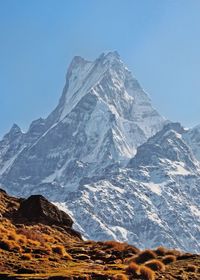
(37, 241)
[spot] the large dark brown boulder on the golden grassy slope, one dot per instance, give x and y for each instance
(38, 209)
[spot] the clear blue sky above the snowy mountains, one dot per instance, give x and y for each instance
(159, 40)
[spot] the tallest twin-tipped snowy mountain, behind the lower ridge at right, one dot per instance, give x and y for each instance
(102, 117)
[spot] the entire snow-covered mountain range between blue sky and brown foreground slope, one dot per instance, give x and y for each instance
(107, 157)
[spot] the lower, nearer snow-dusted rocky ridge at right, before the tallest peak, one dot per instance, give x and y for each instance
(154, 200)
